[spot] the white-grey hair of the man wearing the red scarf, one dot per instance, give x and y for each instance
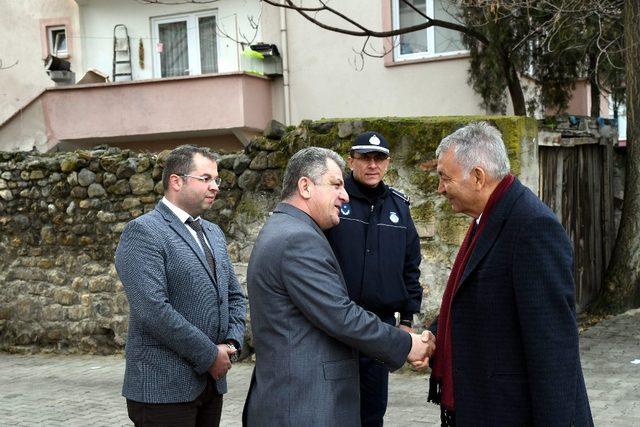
(478, 144)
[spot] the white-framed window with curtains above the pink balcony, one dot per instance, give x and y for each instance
(185, 45)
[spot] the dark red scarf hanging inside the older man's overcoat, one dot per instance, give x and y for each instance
(441, 381)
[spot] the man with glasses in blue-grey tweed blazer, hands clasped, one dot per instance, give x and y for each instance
(187, 311)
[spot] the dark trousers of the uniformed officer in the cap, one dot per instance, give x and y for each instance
(374, 388)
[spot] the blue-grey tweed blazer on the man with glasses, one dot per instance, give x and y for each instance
(178, 310)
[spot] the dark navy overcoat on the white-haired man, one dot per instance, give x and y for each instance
(516, 359)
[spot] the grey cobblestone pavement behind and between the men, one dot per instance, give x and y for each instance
(85, 390)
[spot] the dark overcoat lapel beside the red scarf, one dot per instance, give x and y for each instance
(492, 228)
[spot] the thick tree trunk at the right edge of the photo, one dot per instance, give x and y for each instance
(621, 289)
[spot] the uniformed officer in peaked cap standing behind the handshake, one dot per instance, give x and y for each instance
(378, 249)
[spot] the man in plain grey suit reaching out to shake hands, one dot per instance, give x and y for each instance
(307, 332)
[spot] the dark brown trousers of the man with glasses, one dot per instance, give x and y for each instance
(205, 411)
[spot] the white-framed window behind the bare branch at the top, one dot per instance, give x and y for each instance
(432, 42)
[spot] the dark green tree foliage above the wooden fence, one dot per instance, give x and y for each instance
(554, 44)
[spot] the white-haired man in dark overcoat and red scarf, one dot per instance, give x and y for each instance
(507, 340)
